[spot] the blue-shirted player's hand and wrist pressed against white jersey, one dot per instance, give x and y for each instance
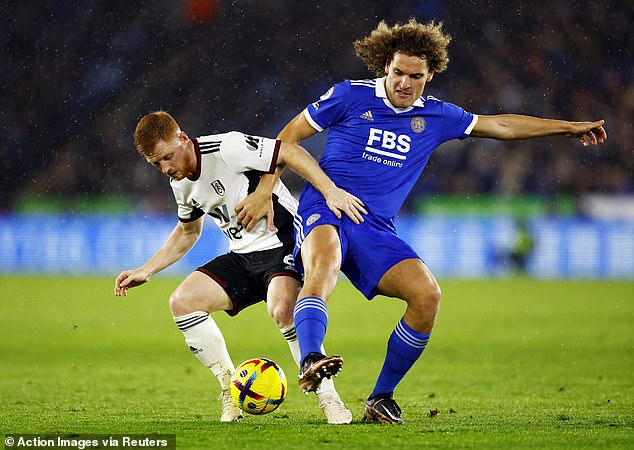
(259, 203)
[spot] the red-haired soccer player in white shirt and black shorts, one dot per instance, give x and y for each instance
(212, 175)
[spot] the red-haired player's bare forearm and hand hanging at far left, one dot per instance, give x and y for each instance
(179, 242)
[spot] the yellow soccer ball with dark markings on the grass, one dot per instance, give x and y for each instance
(258, 386)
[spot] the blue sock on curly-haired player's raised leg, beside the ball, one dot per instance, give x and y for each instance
(311, 320)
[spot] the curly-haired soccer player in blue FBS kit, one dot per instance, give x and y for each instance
(381, 134)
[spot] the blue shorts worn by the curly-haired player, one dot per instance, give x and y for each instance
(368, 250)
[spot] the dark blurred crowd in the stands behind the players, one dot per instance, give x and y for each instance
(77, 76)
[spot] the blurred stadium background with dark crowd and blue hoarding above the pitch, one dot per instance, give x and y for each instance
(77, 76)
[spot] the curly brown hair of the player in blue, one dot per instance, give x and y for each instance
(427, 40)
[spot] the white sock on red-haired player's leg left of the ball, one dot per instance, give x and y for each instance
(206, 342)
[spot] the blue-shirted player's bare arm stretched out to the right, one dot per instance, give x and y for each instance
(513, 126)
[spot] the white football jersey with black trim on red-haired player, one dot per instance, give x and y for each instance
(229, 167)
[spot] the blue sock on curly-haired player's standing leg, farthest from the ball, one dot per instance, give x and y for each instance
(403, 349)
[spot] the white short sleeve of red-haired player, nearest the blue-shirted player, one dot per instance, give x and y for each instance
(243, 152)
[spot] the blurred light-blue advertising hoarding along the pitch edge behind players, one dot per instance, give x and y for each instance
(452, 247)
